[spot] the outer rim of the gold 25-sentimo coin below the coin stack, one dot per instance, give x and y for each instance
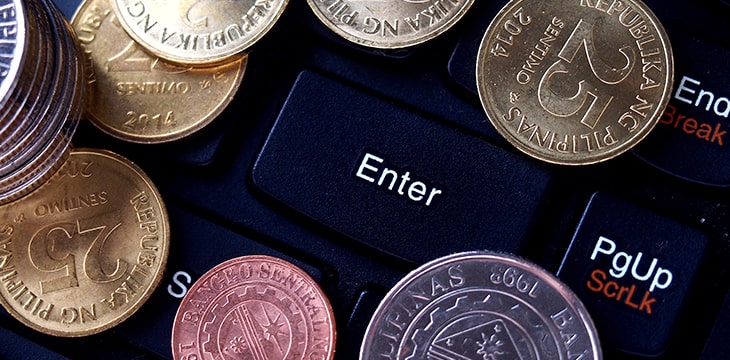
(154, 284)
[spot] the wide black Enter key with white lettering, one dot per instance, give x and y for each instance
(392, 179)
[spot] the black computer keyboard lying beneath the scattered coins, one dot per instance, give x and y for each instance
(291, 167)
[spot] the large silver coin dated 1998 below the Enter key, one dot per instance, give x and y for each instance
(480, 305)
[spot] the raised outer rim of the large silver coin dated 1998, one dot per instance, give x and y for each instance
(538, 271)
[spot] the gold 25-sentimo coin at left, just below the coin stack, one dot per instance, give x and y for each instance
(85, 250)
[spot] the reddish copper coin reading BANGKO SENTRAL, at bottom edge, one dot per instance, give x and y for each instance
(254, 307)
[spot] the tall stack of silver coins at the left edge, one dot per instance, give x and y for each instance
(41, 94)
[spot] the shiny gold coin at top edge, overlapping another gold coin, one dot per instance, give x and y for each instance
(197, 31)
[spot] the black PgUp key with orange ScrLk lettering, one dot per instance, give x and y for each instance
(633, 269)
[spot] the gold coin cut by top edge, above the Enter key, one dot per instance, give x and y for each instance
(389, 24)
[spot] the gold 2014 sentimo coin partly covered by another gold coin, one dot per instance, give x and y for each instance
(140, 98)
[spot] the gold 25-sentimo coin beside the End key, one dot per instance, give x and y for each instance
(573, 82)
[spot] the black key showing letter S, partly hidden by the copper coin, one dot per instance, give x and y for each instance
(197, 246)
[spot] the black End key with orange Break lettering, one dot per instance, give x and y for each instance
(691, 140)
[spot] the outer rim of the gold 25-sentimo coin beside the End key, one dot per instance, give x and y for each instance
(489, 108)
